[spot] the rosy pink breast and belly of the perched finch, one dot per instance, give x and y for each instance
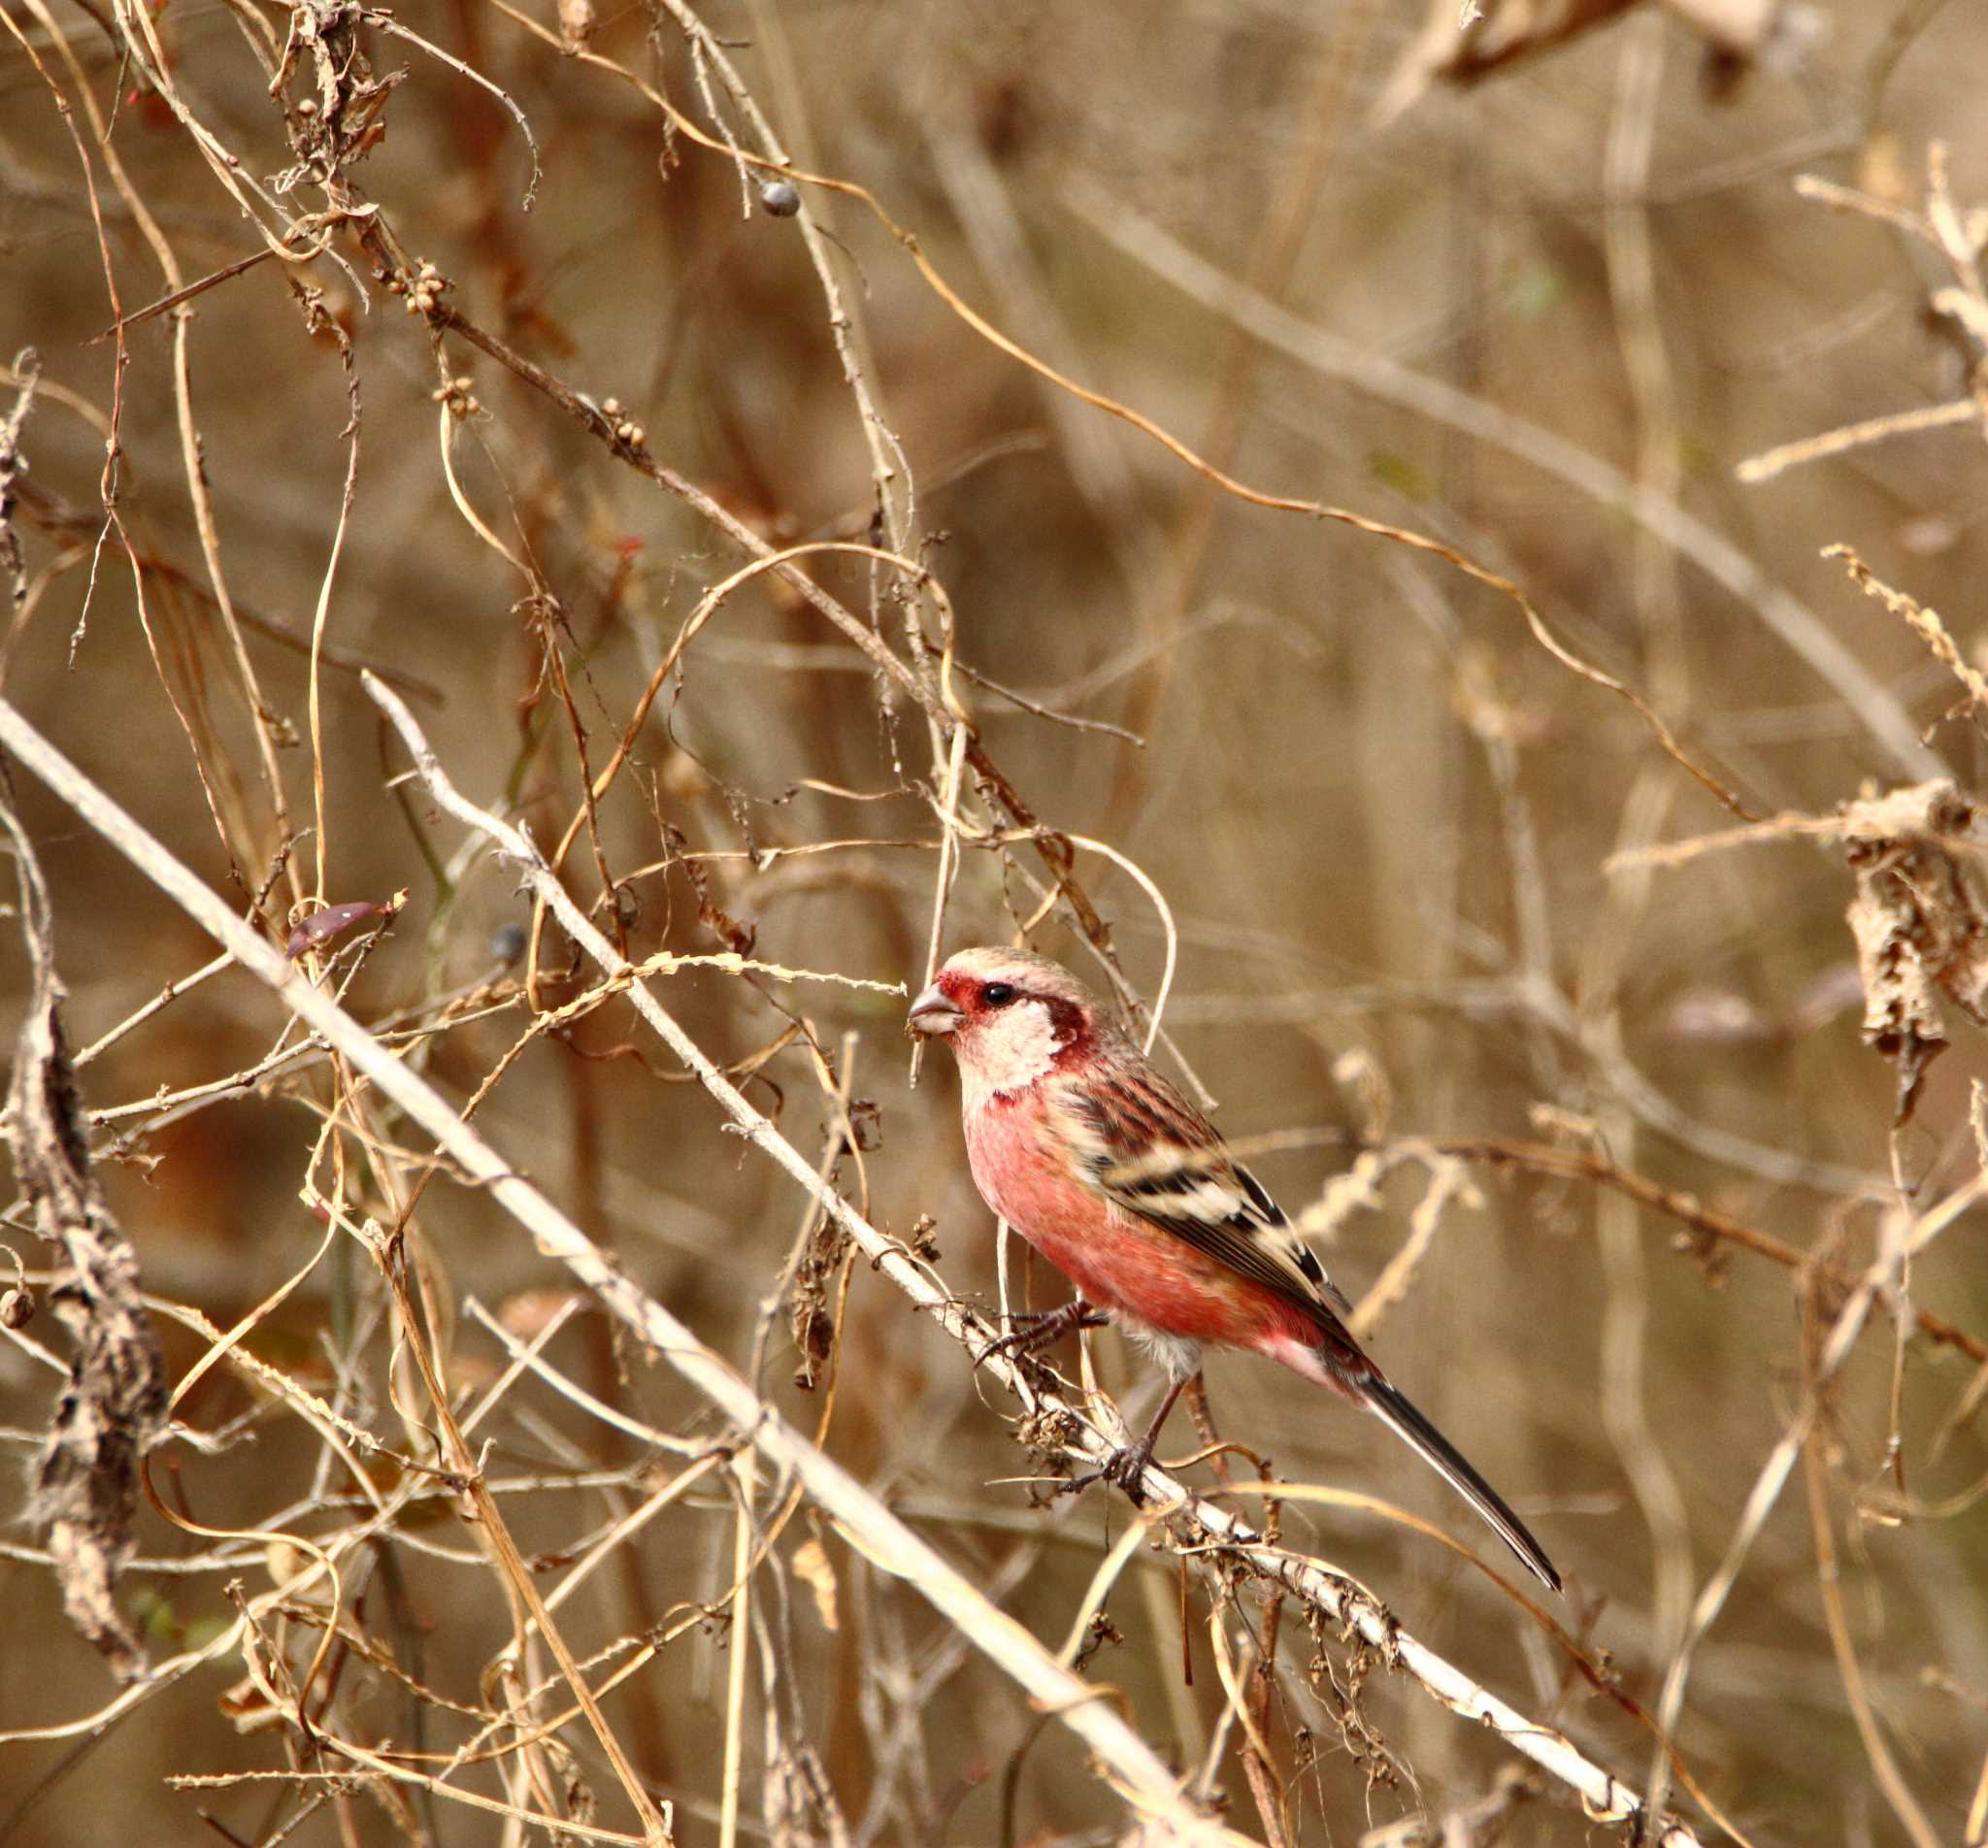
(1116, 1261)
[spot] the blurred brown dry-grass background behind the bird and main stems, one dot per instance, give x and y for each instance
(1399, 846)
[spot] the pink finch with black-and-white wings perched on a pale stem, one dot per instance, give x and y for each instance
(1114, 1175)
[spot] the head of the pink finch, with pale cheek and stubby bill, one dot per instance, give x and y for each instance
(1011, 1016)
